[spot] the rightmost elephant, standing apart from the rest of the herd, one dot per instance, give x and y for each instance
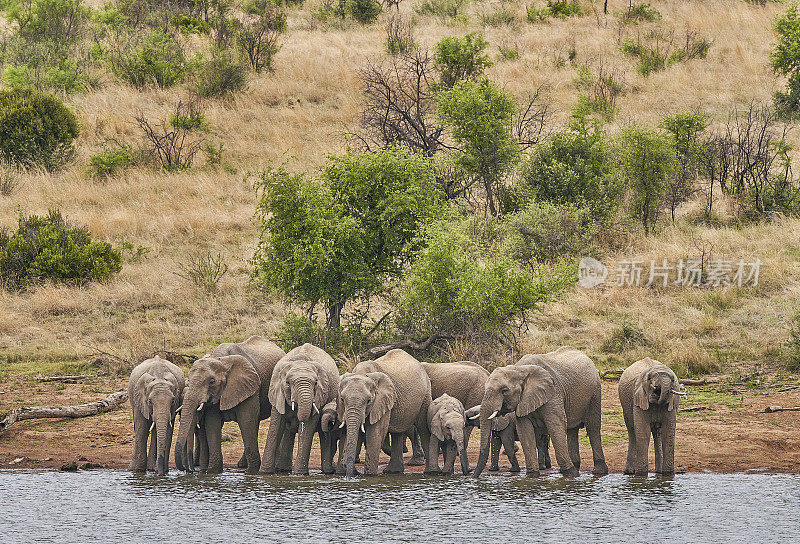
(650, 393)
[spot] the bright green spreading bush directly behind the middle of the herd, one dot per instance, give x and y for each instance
(455, 289)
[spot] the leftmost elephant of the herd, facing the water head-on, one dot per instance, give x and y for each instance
(155, 391)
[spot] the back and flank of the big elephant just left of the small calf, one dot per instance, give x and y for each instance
(412, 387)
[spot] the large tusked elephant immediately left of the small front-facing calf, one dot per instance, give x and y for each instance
(390, 394)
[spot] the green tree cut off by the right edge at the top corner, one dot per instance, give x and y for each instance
(785, 59)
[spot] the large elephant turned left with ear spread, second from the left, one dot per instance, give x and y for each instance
(230, 384)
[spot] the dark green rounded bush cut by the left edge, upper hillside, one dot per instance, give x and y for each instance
(36, 129)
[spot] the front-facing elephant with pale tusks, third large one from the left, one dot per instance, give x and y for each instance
(303, 382)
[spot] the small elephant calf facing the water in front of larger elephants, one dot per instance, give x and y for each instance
(447, 423)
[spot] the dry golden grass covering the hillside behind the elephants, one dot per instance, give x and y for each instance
(298, 114)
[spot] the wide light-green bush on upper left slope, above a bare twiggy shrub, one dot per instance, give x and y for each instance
(156, 58)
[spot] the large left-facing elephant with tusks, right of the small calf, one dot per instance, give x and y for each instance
(560, 391)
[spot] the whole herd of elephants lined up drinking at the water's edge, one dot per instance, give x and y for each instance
(541, 398)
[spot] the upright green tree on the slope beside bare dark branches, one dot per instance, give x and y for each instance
(479, 115)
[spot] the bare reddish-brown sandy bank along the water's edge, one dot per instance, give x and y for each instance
(732, 433)
